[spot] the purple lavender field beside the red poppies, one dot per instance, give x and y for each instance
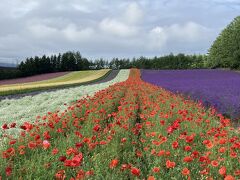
(218, 88)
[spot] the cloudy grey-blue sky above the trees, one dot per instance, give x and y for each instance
(108, 28)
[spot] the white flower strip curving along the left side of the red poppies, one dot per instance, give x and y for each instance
(28, 108)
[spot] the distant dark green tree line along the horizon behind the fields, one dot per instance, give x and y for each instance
(73, 61)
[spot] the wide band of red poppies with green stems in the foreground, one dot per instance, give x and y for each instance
(131, 130)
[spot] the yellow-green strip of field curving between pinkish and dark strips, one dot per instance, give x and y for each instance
(73, 78)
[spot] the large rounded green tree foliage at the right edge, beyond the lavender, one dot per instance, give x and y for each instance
(225, 51)
